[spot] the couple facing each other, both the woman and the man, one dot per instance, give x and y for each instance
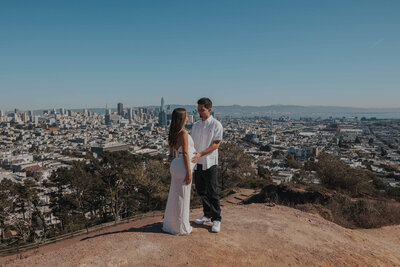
(199, 152)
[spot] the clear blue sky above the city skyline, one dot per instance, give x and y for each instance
(76, 54)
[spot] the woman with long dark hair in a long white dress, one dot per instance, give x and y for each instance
(181, 146)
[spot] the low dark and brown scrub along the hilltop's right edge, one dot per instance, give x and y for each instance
(336, 207)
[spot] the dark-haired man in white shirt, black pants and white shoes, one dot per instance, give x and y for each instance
(207, 136)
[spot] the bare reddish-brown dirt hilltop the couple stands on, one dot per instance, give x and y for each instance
(251, 235)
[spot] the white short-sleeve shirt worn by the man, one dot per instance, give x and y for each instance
(204, 133)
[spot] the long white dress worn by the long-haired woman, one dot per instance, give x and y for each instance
(176, 215)
